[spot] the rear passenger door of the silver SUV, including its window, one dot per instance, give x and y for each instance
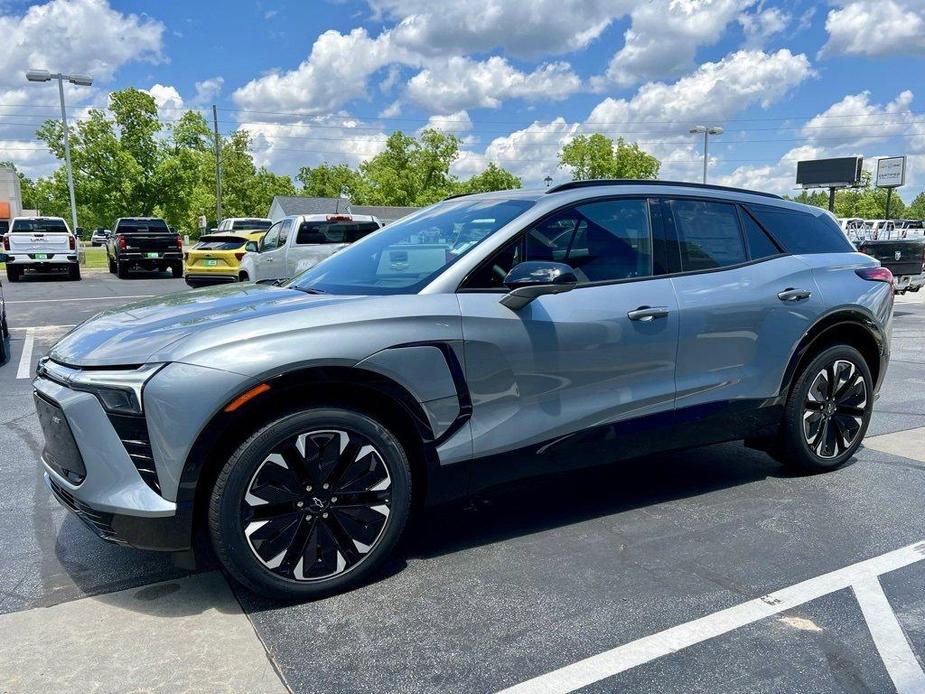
(744, 305)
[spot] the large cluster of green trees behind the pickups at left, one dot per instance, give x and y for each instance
(127, 163)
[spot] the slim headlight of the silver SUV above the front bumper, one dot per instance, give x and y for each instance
(119, 391)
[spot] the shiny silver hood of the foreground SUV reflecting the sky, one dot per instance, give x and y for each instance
(156, 329)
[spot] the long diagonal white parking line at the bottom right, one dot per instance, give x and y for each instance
(644, 650)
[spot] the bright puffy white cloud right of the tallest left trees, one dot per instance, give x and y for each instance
(334, 73)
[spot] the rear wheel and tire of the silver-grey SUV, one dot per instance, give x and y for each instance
(828, 411)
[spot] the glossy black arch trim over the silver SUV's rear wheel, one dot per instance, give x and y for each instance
(851, 326)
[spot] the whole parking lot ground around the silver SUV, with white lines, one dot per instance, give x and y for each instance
(707, 570)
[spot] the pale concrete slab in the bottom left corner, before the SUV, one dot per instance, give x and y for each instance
(184, 635)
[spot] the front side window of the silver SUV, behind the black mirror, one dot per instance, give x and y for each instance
(601, 241)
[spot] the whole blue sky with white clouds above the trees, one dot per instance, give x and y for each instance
(327, 81)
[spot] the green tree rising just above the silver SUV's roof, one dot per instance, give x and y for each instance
(596, 156)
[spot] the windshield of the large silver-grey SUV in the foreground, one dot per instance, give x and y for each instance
(404, 257)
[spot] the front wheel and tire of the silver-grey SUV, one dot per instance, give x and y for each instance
(311, 504)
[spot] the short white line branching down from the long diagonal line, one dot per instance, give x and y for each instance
(891, 642)
